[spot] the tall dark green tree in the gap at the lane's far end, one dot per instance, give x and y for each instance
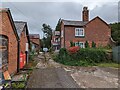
(47, 30)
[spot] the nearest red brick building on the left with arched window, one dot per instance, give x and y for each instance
(9, 43)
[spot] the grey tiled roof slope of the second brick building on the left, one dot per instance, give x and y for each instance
(19, 26)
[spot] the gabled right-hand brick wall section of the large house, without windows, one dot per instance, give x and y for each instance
(98, 32)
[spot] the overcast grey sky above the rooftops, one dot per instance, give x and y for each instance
(37, 13)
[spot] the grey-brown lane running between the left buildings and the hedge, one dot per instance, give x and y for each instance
(50, 75)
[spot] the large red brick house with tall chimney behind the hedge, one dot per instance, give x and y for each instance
(79, 32)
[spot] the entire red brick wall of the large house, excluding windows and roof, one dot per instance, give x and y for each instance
(96, 31)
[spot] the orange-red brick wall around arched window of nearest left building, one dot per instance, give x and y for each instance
(12, 48)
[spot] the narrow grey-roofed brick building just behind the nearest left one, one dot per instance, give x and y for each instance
(23, 33)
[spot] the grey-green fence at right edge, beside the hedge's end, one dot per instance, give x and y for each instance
(116, 54)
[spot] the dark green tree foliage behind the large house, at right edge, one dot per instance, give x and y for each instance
(115, 32)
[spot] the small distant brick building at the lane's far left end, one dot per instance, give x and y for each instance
(35, 42)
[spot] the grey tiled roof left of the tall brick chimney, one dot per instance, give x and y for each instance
(74, 23)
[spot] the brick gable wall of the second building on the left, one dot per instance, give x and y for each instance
(23, 41)
